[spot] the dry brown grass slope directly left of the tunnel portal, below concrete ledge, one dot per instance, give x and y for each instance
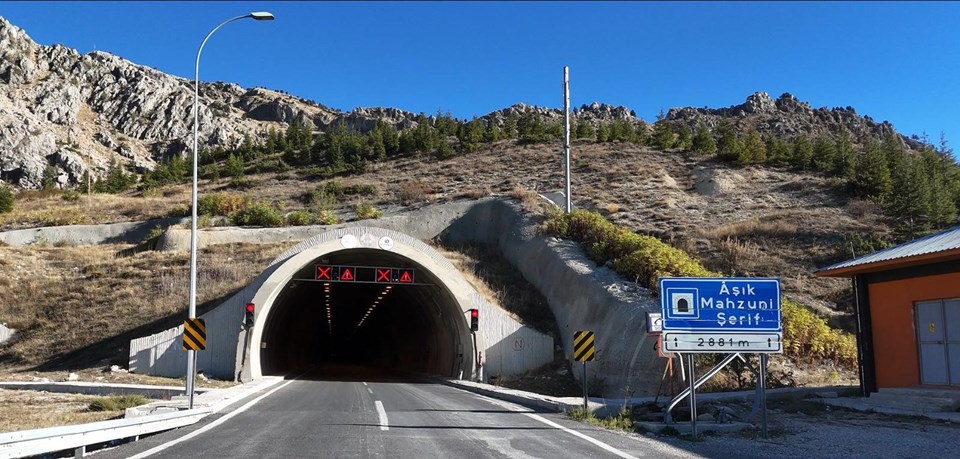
(62, 299)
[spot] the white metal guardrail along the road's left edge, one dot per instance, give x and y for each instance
(78, 437)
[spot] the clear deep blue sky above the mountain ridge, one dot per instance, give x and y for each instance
(896, 61)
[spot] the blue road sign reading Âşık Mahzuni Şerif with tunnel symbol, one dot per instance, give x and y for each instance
(727, 304)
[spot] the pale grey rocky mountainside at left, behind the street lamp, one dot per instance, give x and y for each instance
(77, 112)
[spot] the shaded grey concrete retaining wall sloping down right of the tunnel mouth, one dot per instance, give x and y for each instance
(581, 295)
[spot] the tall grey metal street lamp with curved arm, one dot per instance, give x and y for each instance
(192, 312)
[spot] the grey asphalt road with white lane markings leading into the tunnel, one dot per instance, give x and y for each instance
(356, 412)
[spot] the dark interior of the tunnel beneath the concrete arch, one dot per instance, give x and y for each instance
(397, 326)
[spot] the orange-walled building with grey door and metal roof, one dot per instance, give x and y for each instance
(907, 306)
